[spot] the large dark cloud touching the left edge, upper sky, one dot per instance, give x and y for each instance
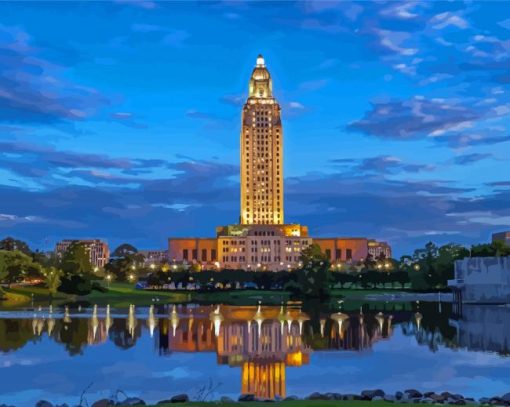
(32, 89)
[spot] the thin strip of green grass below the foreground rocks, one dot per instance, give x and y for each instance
(293, 403)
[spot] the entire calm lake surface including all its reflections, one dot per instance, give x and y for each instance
(212, 351)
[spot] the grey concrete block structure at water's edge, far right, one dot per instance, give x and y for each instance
(481, 280)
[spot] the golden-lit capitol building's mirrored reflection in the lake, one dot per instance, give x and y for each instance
(264, 341)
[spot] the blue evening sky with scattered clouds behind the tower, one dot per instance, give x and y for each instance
(120, 120)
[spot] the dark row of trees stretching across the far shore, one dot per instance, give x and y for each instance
(428, 268)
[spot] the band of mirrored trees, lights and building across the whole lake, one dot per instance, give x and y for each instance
(262, 341)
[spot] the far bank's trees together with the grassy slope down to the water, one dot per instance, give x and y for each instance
(28, 275)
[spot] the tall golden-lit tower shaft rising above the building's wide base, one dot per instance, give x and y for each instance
(261, 152)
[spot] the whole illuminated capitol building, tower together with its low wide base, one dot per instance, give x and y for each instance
(262, 240)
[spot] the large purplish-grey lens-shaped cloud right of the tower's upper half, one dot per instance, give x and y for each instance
(413, 118)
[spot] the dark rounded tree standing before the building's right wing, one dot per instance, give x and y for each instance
(314, 278)
